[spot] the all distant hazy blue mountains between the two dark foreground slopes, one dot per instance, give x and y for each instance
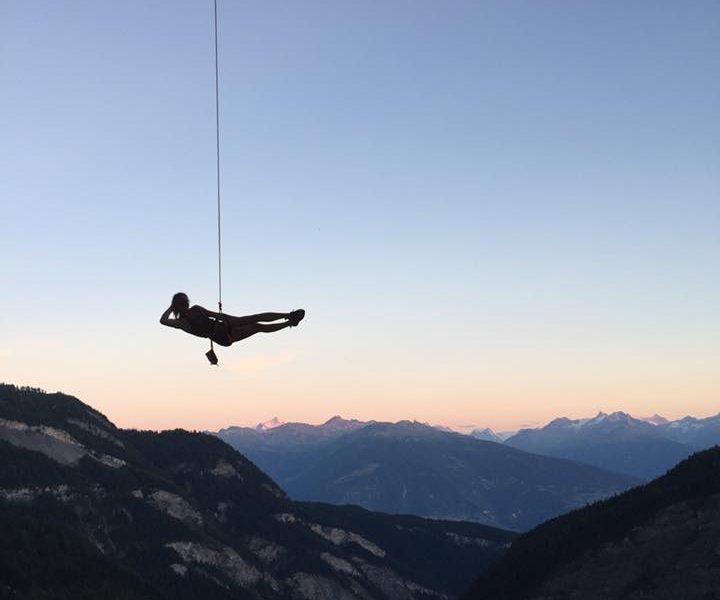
(409, 467)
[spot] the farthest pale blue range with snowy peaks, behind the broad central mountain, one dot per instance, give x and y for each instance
(639, 448)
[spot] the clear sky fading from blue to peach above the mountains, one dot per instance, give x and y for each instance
(494, 212)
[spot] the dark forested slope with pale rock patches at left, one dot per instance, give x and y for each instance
(185, 516)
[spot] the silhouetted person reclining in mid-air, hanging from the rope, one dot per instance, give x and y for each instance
(224, 329)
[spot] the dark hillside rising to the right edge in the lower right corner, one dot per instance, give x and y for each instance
(659, 541)
